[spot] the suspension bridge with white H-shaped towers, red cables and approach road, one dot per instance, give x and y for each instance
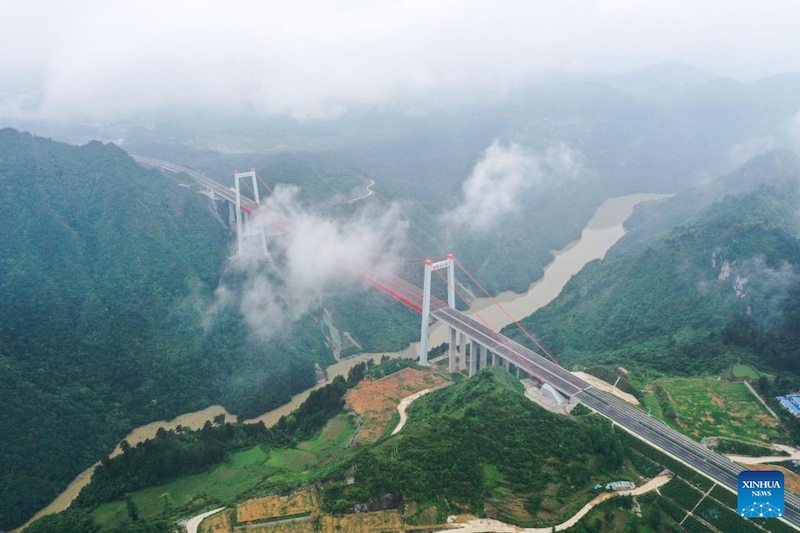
(475, 345)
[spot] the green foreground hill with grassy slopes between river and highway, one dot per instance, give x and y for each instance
(477, 446)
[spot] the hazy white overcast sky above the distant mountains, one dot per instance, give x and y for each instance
(312, 58)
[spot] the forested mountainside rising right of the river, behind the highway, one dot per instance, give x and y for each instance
(720, 288)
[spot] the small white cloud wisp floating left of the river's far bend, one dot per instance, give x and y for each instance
(498, 181)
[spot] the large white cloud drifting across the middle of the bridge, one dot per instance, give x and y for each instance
(308, 255)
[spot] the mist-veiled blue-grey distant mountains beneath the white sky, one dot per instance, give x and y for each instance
(619, 136)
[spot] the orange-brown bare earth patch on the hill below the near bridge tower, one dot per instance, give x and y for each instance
(376, 401)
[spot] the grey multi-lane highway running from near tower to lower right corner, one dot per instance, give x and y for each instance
(714, 466)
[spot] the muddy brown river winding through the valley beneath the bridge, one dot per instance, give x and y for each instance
(601, 232)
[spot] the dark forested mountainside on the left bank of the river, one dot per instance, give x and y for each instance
(106, 270)
